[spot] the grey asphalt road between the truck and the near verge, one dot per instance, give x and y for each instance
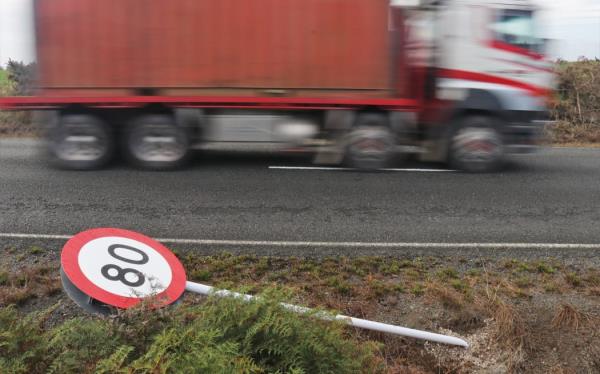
(550, 197)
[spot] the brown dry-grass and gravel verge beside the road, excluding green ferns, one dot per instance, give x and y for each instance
(533, 316)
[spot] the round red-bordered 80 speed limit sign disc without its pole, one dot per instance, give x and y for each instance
(120, 268)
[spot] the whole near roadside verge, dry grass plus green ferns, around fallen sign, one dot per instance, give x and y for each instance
(538, 315)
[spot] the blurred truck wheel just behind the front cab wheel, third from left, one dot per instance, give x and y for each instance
(370, 144)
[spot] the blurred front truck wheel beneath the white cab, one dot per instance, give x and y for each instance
(476, 146)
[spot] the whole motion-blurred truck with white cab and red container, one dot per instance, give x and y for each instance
(355, 82)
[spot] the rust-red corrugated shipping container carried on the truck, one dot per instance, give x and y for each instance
(297, 48)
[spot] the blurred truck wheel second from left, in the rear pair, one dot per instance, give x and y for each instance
(155, 142)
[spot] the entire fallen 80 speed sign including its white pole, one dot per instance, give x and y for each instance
(110, 268)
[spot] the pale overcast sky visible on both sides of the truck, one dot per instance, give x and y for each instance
(573, 24)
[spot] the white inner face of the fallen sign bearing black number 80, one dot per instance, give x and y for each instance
(124, 267)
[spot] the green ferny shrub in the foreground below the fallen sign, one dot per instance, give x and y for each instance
(221, 335)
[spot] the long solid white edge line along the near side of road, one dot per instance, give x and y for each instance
(266, 243)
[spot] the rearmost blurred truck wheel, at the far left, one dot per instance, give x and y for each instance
(81, 142)
